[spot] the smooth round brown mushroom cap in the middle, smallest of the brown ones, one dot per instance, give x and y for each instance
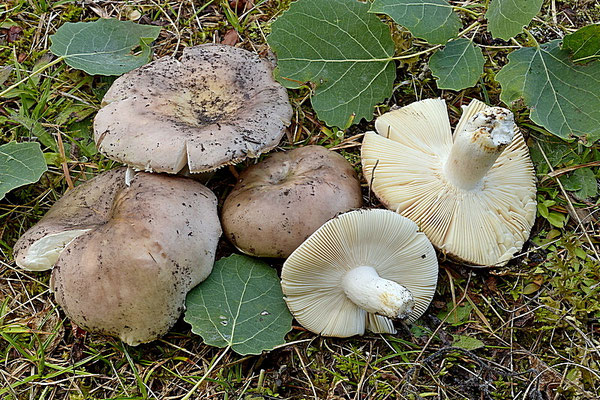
(279, 202)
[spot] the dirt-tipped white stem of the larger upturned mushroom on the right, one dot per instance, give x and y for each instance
(478, 145)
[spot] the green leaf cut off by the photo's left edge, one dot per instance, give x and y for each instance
(20, 164)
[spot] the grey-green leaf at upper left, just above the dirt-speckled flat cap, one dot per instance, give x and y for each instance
(105, 46)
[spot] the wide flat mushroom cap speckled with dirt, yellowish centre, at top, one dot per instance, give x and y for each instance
(216, 106)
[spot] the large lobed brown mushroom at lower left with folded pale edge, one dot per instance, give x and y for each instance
(127, 255)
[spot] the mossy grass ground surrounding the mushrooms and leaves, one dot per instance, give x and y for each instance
(529, 330)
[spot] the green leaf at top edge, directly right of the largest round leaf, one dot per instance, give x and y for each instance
(432, 20)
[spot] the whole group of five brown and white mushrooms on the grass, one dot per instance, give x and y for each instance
(126, 247)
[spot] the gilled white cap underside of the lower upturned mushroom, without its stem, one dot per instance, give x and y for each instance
(311, 276)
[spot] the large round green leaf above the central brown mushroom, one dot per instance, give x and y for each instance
(342, 50)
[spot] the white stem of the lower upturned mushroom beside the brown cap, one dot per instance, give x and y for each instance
(365, 288)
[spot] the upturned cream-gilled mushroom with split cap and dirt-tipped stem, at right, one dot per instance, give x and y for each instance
(473, 194)
